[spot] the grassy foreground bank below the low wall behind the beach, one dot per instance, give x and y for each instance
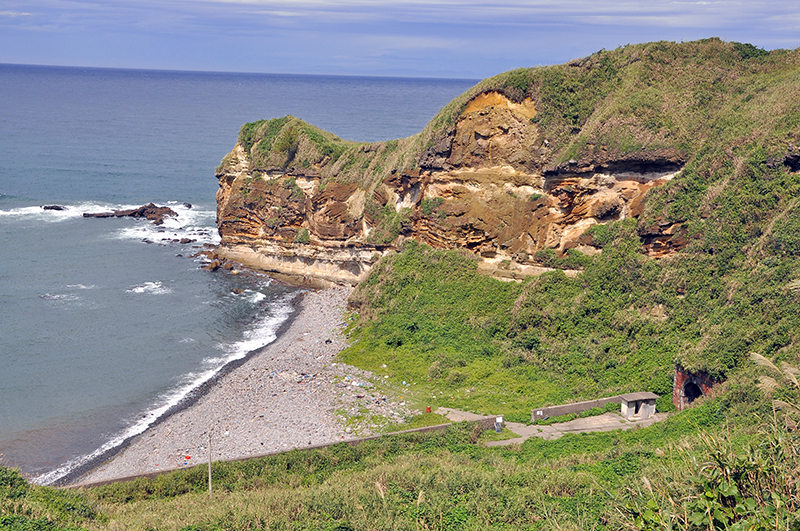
(447, 481)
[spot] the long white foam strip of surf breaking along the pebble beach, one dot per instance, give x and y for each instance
(261, 334)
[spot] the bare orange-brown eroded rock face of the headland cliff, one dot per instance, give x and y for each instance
(491, 186)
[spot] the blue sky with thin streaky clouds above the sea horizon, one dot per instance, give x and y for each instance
(447, 38)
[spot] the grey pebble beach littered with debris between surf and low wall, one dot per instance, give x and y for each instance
(290, 394)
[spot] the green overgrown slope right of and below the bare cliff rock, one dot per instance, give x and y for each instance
(733, 113)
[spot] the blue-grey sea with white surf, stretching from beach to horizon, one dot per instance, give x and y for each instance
(107, 323)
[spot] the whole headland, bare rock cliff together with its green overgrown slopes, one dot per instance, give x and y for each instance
(661, 178)
